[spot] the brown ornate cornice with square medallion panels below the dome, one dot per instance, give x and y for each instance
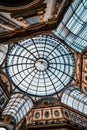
(47, 117)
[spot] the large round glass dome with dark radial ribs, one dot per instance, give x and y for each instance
(40, 66)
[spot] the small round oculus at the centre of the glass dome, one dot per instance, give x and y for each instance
(41, 64)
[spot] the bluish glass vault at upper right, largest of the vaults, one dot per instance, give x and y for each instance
(73, 28)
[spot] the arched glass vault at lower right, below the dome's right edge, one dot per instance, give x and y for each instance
(74, 98)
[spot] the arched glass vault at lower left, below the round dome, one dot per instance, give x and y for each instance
(18, 106)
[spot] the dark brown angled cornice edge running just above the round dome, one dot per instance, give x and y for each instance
(36, 29)
